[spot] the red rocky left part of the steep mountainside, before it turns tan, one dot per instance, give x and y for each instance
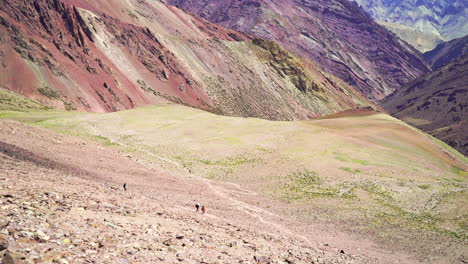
(51, 56)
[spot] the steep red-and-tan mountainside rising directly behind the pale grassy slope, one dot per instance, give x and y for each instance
(96, 56)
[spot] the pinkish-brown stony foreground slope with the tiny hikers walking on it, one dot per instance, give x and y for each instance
(58, 206)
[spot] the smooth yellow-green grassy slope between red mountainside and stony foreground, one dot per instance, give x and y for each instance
(373, 173)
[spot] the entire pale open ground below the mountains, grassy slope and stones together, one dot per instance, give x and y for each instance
(62, 198)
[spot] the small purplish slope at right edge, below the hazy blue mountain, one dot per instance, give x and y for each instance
(446, 52)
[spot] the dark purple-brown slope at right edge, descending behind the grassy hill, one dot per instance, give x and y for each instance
(437, 103)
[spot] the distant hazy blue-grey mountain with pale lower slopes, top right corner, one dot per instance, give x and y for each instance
(422, 23)
